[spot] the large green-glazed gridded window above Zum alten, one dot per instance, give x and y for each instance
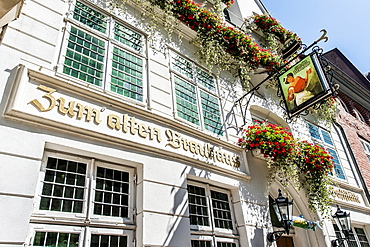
(106, 53)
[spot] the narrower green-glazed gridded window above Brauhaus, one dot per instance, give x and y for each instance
(196, 95)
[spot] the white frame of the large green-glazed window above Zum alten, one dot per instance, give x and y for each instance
(110, 43)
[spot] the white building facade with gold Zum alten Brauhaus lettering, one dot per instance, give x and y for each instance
(113, 138)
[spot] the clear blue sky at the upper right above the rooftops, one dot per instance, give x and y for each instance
(347, 24)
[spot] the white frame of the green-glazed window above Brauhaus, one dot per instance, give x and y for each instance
(198, 88)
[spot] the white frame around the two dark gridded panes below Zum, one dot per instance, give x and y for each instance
(88, 205)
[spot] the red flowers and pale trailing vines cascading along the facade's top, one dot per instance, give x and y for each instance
(231, 47)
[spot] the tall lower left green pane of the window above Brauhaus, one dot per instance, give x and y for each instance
(186, 101)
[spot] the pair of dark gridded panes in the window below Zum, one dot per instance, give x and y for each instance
(65, 188)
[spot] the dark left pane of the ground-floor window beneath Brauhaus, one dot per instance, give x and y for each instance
(198, 209)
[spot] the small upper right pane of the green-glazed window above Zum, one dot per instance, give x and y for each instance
(128, 37)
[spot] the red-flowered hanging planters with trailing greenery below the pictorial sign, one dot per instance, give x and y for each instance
(299, 162)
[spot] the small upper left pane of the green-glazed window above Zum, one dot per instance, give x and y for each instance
(90, 17)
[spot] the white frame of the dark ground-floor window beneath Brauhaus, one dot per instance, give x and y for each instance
(211, 228)
